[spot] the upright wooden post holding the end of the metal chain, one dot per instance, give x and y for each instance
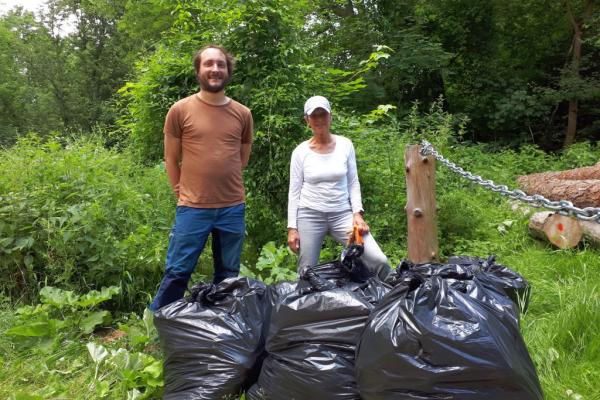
(420, 206)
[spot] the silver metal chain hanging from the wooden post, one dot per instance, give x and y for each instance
(563, 207)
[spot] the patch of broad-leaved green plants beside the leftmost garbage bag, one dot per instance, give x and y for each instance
(58, 332)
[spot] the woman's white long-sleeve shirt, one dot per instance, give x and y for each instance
(323, 182)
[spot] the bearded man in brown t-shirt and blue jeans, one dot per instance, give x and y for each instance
(208, 139)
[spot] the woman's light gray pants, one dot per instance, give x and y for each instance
(314, 225)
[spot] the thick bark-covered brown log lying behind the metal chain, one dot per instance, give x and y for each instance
(580, 186)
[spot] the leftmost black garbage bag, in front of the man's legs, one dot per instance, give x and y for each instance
(213, 342)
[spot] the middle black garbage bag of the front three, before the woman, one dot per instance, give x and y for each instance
(312, 336)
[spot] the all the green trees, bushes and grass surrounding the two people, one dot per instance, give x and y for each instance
(85, 204)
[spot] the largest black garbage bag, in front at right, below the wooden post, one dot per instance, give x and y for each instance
(444, 335)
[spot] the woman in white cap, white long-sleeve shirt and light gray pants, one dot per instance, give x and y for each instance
(324, 195)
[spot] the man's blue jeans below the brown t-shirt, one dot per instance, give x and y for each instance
(187, 240)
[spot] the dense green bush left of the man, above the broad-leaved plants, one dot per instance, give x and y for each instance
(81, 217)
